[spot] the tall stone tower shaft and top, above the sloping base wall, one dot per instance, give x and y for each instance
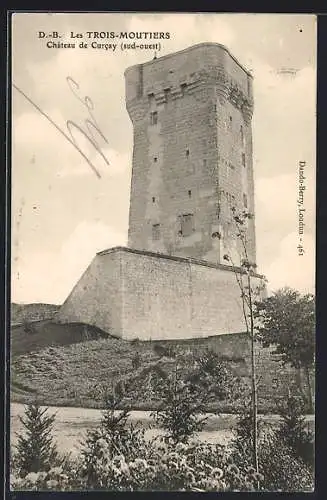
(192, 158)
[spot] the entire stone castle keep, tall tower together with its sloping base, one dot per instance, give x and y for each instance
(192, 161)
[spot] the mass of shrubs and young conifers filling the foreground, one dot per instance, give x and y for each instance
(117, 456)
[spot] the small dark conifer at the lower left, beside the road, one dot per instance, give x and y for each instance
(35, 449)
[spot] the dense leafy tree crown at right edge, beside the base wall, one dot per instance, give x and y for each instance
(287, 320)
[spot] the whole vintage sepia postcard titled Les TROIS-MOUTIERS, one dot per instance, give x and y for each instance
(163, 251)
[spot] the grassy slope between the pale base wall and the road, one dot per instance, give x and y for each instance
(80, 360)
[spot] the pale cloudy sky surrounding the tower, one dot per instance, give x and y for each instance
(62, 213)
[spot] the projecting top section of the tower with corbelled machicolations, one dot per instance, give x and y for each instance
(186, 70)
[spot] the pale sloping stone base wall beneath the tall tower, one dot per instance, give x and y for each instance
(134, 294)
